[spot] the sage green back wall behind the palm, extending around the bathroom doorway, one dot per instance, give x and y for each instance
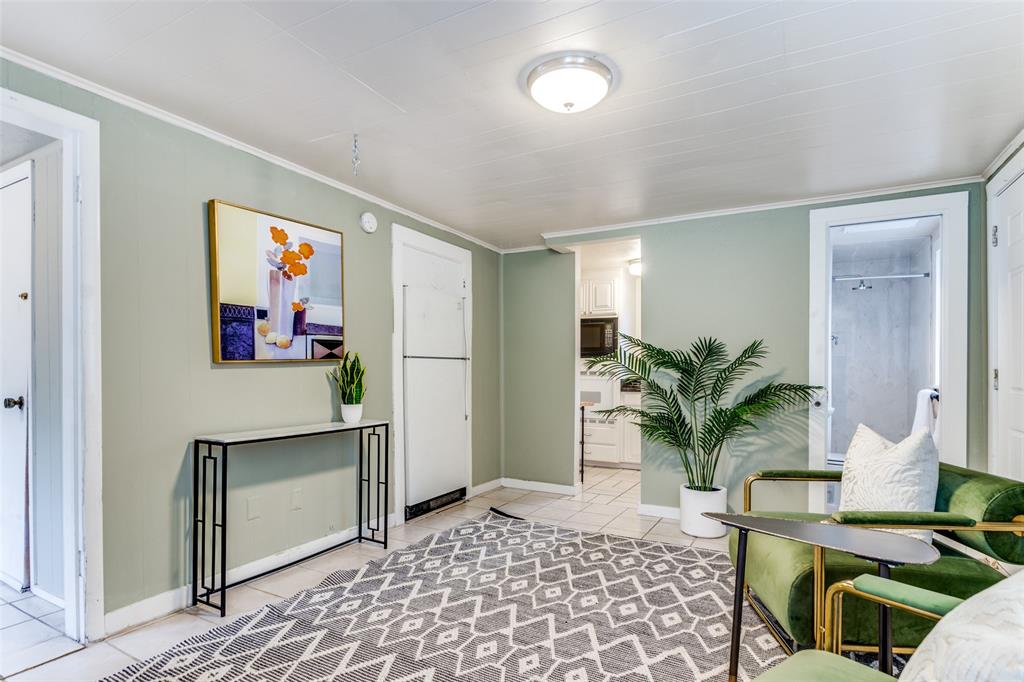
(744, 277)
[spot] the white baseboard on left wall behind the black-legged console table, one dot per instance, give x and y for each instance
(177, 600)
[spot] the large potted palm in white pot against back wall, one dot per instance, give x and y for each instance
(685, 408)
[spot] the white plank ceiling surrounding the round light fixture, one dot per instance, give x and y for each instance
(720, 104)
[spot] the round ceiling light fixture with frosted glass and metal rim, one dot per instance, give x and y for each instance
(570, 83)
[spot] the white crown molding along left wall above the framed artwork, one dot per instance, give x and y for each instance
(182, 122)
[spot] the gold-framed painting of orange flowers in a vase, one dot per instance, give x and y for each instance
(277, 288)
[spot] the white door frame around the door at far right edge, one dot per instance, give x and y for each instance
(1013, 172)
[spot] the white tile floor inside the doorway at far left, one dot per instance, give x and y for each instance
(31, 632)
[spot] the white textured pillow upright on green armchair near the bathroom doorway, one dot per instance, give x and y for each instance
(881, 477)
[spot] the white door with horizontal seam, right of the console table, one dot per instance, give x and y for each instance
(434, 293)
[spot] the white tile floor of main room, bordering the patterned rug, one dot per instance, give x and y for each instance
(609, 504)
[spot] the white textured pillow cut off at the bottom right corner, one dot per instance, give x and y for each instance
(978, 642)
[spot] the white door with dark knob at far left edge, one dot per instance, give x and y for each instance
(16, 321)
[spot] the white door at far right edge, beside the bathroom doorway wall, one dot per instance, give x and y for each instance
(1007, 290)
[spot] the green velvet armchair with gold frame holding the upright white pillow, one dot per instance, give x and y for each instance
(787, 581)
